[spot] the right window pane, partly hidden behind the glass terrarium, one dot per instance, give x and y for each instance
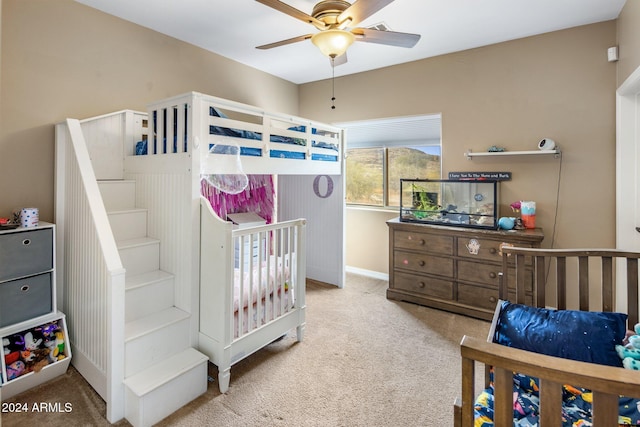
(421, 162)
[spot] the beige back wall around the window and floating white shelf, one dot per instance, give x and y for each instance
(557, 85)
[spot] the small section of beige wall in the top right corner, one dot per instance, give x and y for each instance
(628, 40)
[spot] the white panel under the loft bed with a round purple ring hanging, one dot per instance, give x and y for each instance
(319, 199)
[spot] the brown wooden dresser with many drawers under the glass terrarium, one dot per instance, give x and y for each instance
(451, 268)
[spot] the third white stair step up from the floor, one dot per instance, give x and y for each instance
(147, 293)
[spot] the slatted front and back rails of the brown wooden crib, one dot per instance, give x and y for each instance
(578, 279)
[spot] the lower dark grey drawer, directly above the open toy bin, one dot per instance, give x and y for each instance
(25, 298)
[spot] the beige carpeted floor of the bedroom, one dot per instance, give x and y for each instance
(364, 361)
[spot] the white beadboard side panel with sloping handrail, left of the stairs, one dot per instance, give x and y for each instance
(89, 262)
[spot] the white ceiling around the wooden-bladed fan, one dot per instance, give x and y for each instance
(232, 28)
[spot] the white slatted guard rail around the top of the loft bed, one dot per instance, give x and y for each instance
(192, 123)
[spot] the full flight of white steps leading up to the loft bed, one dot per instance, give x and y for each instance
(162, 371)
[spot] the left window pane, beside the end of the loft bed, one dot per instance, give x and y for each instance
(364, 174)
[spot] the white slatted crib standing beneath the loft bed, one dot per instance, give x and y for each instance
(252, 287)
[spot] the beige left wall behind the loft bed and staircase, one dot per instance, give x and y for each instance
(62, 59)
